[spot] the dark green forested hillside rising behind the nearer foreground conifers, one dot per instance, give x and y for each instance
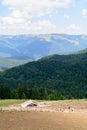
(65, 73)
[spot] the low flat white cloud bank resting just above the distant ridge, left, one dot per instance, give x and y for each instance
(27, 28)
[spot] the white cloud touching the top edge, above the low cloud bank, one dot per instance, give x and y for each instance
(33, 8)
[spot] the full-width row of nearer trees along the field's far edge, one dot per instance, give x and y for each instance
(24, 92)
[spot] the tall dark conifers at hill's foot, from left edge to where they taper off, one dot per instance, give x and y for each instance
(24, 92)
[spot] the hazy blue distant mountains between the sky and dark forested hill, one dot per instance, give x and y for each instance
(24, 48)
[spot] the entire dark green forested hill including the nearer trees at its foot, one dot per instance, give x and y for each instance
(51, 78)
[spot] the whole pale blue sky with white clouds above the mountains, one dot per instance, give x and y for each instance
(43, 17)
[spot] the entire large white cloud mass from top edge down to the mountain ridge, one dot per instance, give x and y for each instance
(23, 15)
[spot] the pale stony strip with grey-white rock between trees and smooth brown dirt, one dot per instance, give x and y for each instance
(50, 106)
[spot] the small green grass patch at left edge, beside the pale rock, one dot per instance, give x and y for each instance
(6, 103)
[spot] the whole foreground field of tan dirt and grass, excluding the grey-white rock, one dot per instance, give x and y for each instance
(65, 115)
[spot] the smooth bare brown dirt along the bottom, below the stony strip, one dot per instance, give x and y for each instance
(42, 121)
